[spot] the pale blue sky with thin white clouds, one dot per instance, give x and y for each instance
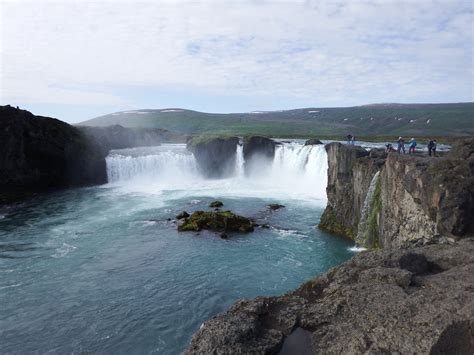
(76, 60)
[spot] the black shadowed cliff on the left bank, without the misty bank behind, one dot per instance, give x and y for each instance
(42, 152)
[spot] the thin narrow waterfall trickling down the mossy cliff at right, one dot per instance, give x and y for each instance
(367, 229)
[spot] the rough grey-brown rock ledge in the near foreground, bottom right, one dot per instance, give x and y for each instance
(419, 300)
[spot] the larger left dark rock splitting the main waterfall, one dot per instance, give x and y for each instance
(215, 156)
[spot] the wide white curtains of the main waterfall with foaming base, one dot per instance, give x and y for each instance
(297, 172)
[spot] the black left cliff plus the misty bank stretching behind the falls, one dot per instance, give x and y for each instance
(42, 153)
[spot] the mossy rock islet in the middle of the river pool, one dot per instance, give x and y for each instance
(225, 221)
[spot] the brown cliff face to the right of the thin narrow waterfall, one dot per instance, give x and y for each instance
(424, 199)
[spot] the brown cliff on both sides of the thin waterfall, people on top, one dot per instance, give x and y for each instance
(417, 199)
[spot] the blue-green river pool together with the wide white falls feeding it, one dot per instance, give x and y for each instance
(103, 269)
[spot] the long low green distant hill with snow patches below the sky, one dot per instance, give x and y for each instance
(453, 119)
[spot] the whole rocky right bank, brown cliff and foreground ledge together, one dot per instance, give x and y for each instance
(413, 294)
